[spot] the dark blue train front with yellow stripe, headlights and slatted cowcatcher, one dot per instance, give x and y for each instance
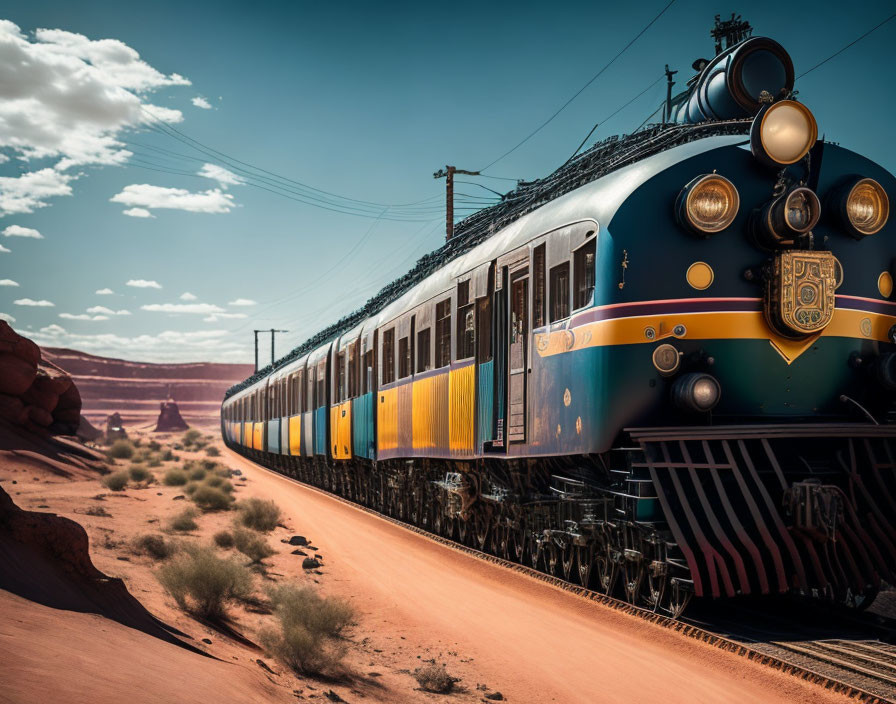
(761, 375)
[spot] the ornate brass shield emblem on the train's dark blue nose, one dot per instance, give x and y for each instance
(799, 297)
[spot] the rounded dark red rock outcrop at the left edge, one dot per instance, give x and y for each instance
(35, 392)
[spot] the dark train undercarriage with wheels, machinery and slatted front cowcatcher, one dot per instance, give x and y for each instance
(674, 513)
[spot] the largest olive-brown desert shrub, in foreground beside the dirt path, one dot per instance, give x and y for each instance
(310, 626)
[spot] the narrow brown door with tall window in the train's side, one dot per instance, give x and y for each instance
(517, 356)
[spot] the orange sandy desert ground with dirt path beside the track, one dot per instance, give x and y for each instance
(497, 632)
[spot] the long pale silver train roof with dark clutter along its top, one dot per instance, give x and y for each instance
(611, 169)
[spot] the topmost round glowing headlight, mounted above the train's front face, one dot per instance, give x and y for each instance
(783, 133)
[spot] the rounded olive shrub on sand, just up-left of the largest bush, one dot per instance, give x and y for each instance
(204, 583)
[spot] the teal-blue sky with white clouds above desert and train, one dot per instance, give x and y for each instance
(358, 99)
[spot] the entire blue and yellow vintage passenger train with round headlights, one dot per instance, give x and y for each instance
(666, 370)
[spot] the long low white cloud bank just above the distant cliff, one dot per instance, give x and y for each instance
(167, 346)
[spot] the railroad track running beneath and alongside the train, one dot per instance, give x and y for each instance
(864, 670)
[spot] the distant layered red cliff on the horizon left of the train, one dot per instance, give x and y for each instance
(135, 389)
